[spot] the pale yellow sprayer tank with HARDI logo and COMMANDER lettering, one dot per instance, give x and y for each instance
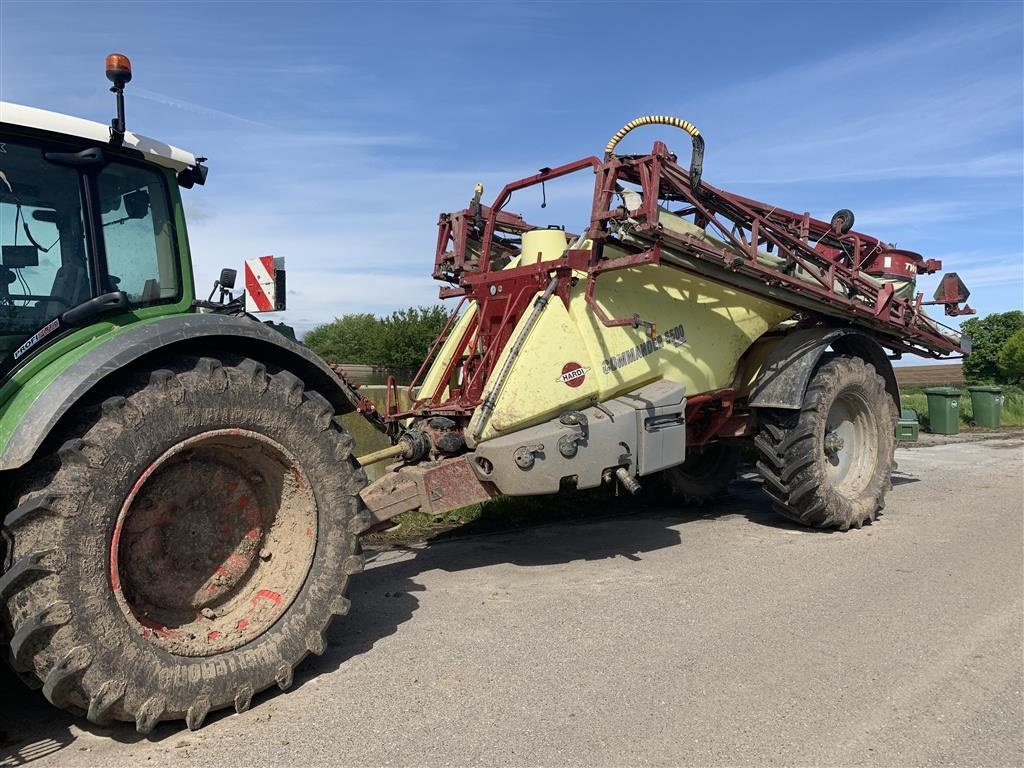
(701, 332)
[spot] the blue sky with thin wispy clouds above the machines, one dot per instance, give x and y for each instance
(337, 132)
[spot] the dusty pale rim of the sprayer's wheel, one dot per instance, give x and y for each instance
(849, 450)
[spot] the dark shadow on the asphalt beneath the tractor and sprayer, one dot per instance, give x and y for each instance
(385, 598)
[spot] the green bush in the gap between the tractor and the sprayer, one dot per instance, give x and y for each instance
(400, 340)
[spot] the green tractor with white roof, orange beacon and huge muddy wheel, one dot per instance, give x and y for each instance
(180, 505)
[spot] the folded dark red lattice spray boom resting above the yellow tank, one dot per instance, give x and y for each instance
(791, 259)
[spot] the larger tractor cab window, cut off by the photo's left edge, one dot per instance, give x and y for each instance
(45, 264)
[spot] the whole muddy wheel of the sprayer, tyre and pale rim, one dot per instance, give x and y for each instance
(831, 463)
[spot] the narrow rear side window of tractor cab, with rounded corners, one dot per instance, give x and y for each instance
(139, 234)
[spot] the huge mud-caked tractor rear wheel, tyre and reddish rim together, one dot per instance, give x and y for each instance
(184, 546)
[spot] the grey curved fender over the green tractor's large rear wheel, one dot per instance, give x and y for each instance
(188, 334)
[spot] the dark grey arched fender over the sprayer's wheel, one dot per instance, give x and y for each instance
(790, 365)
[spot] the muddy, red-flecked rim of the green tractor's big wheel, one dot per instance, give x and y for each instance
(215, 543)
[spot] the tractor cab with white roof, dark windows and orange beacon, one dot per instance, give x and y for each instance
(88, 226)
